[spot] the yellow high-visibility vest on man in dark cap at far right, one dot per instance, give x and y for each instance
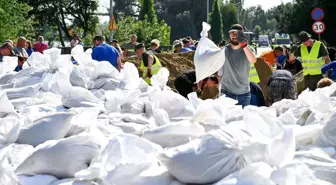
(310, 63)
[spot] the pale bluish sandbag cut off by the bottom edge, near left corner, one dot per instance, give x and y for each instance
(37, 179)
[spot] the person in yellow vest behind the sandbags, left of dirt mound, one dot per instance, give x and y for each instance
(150, 64)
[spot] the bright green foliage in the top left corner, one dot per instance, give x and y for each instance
(14, 21)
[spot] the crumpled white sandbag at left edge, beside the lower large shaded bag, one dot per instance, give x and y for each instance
(15, 154)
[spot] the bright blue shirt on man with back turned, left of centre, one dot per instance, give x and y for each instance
(105, 52)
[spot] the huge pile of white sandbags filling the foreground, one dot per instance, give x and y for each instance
(93, 125)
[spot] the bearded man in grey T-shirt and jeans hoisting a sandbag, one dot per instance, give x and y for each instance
(234, 75)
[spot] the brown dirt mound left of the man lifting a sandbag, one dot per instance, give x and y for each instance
(176, 63)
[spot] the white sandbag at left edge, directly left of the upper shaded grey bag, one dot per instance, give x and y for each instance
(9, 130)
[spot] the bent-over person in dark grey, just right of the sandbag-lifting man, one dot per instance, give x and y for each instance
(281, 85)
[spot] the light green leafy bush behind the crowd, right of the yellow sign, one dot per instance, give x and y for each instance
(145, 30)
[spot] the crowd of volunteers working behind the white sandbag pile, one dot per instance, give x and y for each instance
(238, 78)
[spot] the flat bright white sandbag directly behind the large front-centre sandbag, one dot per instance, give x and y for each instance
(175, 134)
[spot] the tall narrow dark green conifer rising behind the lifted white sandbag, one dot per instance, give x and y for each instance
(216, 22)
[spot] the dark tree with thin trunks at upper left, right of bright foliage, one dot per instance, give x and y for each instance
(66, 15)
